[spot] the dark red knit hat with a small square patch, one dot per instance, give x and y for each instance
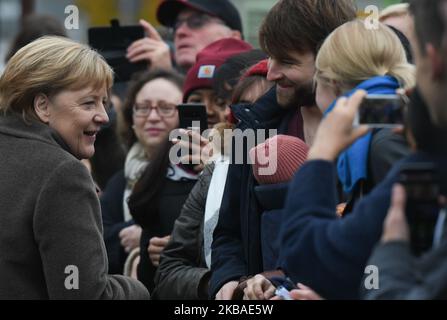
(209, 60)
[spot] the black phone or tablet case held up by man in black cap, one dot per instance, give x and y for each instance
(112, 43)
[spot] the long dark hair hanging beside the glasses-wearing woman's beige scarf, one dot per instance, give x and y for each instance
(144, 200)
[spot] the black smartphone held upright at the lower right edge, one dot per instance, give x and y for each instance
(422, 187)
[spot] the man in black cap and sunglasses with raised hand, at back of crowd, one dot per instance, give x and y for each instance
(196, 24)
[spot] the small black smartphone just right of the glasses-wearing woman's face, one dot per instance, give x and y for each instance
(193, 116)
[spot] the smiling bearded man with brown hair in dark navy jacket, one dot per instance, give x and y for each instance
(290, 34)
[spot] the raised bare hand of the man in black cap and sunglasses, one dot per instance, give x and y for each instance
(151, 49)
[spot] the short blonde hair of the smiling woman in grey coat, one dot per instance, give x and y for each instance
(49, 65)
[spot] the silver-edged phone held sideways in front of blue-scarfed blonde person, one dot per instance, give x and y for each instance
(381, 111)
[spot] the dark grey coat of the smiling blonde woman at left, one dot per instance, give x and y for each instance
(50, 219)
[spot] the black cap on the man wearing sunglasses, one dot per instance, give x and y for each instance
(168, 11)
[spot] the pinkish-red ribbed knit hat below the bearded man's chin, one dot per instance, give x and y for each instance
(278, 158)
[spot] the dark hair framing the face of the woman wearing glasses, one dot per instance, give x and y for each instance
(138, 81)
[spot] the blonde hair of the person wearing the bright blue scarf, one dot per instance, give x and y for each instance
(352, 54)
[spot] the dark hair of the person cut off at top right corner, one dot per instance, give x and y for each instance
(429, 22)
